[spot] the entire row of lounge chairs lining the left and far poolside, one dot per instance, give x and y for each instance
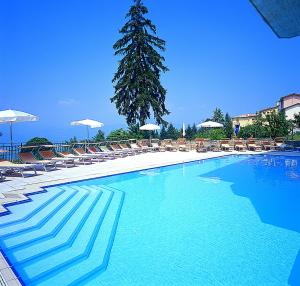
(47, 158)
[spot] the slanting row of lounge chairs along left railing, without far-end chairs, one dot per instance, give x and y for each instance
(47, 158)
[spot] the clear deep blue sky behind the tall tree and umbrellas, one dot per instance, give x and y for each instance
(56, 61)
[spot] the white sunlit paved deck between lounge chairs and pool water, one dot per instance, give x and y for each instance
(14, 189)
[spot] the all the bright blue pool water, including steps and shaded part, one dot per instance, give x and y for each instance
(226, 221)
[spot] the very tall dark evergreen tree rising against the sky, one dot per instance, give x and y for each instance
(138, 90)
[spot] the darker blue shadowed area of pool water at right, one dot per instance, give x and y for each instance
(272, 184)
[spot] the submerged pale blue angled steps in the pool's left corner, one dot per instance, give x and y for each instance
(65, 239)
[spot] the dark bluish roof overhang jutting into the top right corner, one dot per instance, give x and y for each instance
(281, 15)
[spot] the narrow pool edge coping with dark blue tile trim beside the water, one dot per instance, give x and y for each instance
(8, 275)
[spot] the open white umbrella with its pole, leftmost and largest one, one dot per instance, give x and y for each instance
(13, 116)
